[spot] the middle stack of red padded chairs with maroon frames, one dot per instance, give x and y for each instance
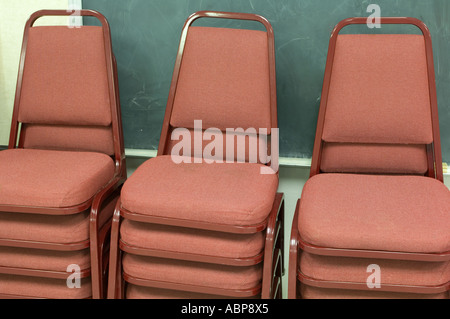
(188, 226)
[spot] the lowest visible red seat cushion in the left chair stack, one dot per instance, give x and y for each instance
(35, 287)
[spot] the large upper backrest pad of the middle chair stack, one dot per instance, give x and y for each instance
(224, 80)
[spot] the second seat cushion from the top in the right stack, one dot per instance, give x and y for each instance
(393, 272)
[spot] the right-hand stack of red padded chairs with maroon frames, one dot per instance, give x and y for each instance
(373, 220)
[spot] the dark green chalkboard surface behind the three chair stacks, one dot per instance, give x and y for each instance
(146, 35)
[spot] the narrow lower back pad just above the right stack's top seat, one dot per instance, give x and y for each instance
(374, 158)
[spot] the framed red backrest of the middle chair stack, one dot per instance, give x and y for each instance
(224, 78)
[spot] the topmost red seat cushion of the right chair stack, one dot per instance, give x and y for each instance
(376, 212)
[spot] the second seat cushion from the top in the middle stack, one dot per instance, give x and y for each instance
(192, 241)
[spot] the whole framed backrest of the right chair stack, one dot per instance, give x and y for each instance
(378, 110)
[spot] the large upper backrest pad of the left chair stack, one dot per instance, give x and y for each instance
(64, 79)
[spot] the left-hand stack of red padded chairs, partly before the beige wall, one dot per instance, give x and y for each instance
(64, 167)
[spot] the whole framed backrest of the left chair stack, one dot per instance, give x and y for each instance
(67, 95)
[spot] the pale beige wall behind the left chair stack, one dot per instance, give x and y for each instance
(13, 15)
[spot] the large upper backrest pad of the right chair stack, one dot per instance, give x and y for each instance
(379, 90)
